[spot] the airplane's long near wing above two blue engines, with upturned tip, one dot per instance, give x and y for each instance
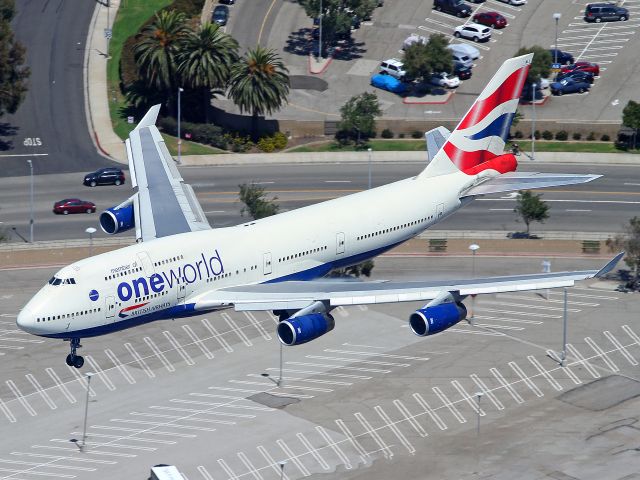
(292, 295)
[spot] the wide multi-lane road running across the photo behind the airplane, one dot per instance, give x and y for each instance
(600, 206)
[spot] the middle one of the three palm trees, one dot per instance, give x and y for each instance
(205, 60)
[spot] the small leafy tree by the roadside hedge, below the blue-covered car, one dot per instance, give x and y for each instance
(358, 116)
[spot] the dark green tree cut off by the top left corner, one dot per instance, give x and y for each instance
(13, 73)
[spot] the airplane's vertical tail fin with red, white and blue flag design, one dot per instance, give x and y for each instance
(482, 133)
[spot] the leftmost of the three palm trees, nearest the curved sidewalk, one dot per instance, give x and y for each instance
(156, 52)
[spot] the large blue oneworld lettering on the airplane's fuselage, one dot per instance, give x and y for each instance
(187, 273)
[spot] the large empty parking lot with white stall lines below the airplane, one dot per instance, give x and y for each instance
(364, 400)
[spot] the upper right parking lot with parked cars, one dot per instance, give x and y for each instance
(611, 44)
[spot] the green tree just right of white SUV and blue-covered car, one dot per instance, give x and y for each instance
(421, 60)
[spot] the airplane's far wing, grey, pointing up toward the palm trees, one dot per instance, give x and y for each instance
(163, 205)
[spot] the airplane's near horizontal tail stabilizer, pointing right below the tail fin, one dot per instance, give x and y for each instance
(514, 181)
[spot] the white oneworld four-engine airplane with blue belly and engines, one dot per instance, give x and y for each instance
(181, 267)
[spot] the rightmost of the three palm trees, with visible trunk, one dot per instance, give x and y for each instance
(259, 84)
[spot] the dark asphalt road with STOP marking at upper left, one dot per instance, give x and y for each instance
(50, 126)
